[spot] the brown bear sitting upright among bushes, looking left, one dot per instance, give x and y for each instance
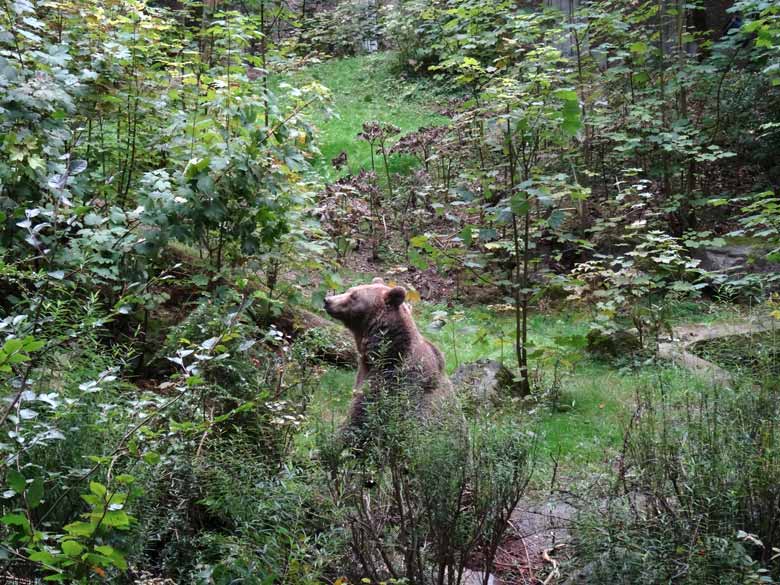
(391, 350)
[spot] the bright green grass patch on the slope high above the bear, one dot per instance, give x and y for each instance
(366, 88)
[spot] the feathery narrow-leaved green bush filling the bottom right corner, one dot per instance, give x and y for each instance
(698, 492)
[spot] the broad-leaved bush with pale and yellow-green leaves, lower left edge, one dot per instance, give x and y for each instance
(68, 472)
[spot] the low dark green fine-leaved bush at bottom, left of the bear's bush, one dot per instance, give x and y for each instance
(227, 516)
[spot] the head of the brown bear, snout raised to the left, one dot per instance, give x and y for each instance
(361, 305)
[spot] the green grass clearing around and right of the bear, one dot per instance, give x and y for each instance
(597, 398)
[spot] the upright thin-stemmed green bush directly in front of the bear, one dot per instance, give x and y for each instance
(421, 497)
